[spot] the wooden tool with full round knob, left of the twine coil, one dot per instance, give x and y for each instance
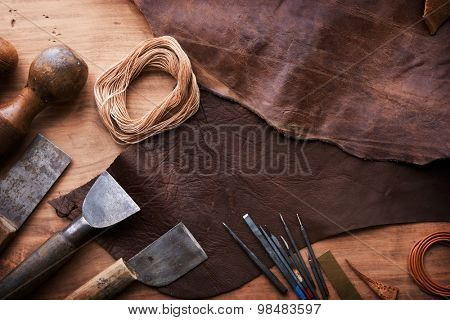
(56, 76)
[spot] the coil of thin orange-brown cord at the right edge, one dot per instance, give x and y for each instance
(417, 267)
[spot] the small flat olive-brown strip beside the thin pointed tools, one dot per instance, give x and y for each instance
(338, 278)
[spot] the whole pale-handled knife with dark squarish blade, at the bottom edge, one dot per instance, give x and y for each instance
(168, 258)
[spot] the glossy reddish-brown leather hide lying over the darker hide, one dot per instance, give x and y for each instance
(364, 75)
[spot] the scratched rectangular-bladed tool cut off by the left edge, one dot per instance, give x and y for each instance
(26, 183)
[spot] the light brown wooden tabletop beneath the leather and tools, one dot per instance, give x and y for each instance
(102, 32)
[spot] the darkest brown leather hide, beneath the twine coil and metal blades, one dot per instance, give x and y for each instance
(225, 161)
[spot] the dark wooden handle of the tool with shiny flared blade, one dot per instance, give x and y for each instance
(36, 268)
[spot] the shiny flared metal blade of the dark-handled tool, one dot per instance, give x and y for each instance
(107, 203)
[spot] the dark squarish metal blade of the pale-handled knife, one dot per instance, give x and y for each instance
(168, 258)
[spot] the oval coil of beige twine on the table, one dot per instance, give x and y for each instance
(165, 54)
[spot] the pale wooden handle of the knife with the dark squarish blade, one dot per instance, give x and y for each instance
(106, 284)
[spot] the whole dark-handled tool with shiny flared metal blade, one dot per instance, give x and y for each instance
(105, 205)
